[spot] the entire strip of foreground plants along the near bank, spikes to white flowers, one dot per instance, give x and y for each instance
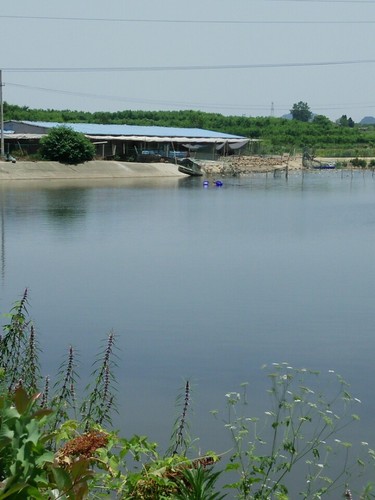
(49, 453)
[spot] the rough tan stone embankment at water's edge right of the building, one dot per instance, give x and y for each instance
(237, 165)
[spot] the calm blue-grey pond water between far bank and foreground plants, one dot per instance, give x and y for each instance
(206, 284)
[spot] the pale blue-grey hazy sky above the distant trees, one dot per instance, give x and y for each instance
(237, 57)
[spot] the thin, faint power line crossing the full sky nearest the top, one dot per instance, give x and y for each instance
(187, 21)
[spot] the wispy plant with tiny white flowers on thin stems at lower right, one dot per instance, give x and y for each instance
(300, 434)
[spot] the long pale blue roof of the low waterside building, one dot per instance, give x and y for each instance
(140, 130)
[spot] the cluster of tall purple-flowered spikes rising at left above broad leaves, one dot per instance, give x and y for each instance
(19, 366)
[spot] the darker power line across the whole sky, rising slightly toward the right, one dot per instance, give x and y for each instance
(119, 69)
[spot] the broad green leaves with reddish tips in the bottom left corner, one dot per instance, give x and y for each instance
(28, 467)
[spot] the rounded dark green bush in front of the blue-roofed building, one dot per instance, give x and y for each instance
(66, 146)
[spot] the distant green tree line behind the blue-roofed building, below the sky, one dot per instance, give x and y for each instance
(342, 137)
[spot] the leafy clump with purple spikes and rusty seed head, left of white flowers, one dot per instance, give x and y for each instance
(53, 447)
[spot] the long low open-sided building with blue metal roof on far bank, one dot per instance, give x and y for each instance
(134, 141)
